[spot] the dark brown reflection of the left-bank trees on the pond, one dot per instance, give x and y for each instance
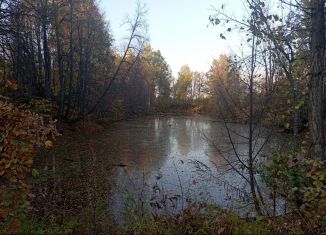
(91, 160)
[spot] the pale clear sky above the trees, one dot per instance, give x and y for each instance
(180, 29)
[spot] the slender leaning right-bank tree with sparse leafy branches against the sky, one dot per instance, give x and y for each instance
(270, 28)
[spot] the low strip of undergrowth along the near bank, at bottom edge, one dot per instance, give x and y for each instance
(196, 219)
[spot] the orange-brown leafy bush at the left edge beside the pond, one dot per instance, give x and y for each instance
(21, 132)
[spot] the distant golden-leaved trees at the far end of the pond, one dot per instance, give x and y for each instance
(221, 89)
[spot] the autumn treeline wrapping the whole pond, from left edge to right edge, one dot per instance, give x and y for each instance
(62, 51)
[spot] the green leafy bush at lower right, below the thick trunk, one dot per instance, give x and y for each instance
(299, 179)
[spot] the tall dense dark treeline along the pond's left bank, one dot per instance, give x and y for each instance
(62, 51)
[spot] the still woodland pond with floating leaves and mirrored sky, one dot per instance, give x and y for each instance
(157, 164)
